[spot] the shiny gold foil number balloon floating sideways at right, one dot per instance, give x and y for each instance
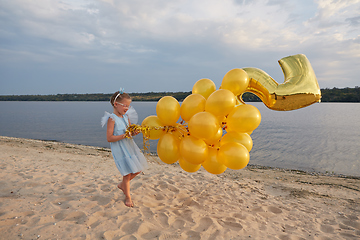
(300, 88)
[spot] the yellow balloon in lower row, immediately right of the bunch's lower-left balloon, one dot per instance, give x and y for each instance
(193, 150)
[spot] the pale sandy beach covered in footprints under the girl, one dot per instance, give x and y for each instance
(51, 190)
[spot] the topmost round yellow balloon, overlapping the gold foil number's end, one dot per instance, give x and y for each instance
(236, 80)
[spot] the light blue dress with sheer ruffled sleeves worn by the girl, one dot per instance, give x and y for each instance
(127, 155)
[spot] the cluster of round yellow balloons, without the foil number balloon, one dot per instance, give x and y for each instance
(199, 139)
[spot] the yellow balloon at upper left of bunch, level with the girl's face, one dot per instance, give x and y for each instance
(168, 110)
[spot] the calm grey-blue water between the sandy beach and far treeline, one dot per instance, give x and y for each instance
(323, 137)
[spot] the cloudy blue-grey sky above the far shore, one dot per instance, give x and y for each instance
(99, 46)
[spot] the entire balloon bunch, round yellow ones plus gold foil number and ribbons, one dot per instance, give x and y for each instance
(216, 124)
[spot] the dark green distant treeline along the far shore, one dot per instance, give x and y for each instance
(328, 95)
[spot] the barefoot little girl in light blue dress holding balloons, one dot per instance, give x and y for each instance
(128, 158)
